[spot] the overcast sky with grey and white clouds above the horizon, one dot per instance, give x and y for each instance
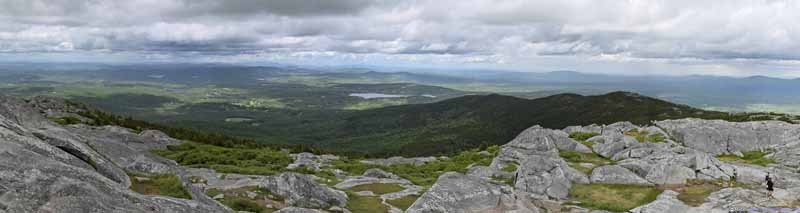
(670, 37)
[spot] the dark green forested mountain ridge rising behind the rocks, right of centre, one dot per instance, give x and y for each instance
(472, 121)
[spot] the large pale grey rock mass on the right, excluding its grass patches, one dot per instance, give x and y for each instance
(686, 153)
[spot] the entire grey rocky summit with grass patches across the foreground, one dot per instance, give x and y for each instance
(687, 165)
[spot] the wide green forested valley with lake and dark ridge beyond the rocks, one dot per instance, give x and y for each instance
(353, 111)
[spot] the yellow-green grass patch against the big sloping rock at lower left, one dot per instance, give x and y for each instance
(163, 184)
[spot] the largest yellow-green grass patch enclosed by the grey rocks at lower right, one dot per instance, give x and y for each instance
(612, 197)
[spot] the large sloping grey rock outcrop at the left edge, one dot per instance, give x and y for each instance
(47, 168)
